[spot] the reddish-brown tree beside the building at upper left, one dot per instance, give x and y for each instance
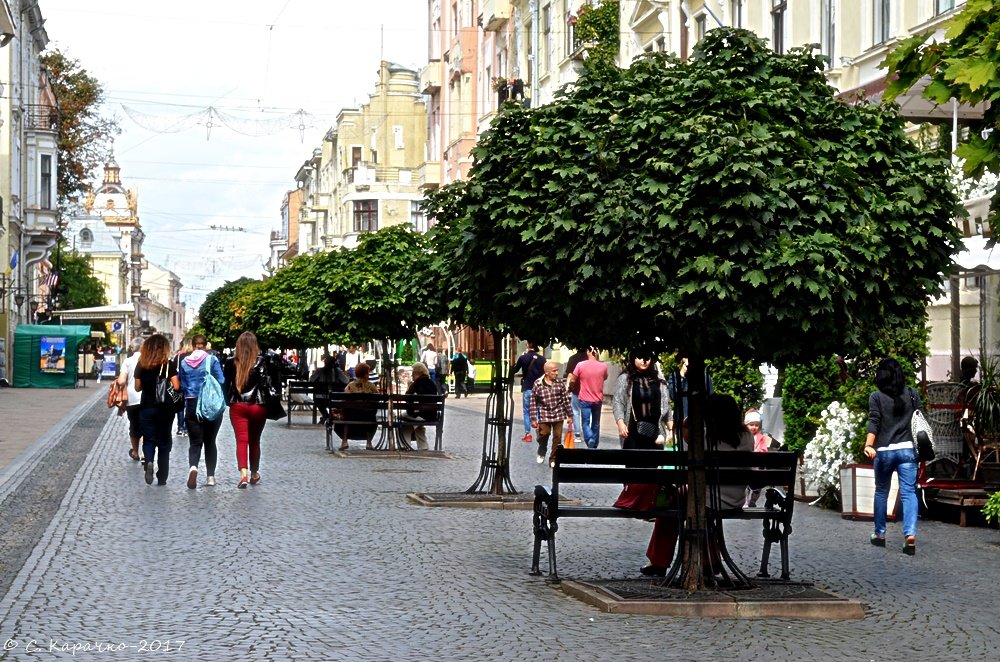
(85, 135)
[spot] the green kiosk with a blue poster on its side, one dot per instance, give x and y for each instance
(45, 355)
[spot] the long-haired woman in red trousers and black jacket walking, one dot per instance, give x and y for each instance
(246, 375)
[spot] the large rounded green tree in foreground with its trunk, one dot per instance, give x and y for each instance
(728, 205)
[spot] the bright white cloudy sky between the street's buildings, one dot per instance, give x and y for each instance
(252, 59)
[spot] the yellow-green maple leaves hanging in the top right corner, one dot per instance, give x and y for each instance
(963, 67)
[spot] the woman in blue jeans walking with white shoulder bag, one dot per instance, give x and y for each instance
(889, 443)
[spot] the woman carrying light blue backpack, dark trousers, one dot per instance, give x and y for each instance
(194, 371)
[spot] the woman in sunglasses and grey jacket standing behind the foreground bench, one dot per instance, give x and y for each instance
(641, 404)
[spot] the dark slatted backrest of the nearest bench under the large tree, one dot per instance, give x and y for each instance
(661, 467)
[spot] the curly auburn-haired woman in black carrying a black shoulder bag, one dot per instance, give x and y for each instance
(155, 420)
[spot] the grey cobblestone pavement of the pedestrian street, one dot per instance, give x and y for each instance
(326, 559)
